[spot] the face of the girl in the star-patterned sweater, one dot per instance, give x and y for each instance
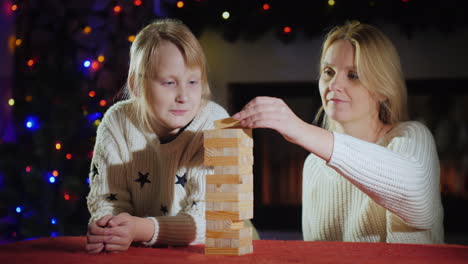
(176, 91)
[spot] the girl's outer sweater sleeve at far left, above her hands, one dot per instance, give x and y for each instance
(108, 187)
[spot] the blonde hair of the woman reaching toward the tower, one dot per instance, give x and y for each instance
(378, 67)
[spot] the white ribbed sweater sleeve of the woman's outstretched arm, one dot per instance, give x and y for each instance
(403, 178)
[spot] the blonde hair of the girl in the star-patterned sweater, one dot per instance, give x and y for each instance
(143, 63)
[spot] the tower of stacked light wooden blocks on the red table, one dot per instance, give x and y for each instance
(229, 191)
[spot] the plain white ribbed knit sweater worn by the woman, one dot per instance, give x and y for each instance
(384, 192)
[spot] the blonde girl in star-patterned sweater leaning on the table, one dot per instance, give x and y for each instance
(147, 177)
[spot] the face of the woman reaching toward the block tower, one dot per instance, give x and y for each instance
(344, 97)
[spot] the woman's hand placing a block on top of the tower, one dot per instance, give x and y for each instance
(270, 112)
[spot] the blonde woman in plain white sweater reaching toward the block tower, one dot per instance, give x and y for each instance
(370, 177)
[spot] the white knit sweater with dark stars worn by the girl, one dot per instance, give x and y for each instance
(131, 171)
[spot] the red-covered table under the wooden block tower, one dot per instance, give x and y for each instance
(71, 250)
